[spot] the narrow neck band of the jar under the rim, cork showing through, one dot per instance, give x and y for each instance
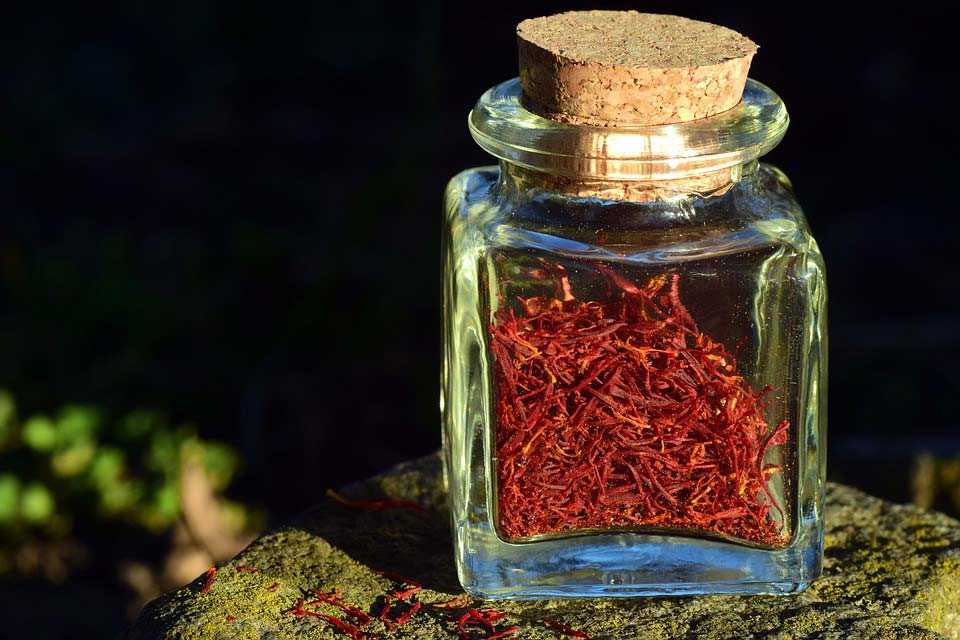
(516, 180)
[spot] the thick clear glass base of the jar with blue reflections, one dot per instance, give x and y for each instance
(632, 565)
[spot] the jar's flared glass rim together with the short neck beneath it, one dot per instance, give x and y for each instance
(701, 157)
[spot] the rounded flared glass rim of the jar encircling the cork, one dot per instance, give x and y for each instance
(504, 128)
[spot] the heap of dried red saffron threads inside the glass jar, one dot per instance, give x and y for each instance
(623, 414)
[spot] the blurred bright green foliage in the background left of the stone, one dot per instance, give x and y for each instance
(81, 465)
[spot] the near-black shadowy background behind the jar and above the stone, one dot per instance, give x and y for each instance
(232, 213)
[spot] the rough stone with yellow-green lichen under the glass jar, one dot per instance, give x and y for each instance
(891, 571)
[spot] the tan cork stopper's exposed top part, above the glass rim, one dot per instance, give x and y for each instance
(625, 68)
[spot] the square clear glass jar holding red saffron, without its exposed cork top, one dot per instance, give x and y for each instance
(633, 385)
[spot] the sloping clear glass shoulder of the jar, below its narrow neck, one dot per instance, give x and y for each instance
(760, 212)
